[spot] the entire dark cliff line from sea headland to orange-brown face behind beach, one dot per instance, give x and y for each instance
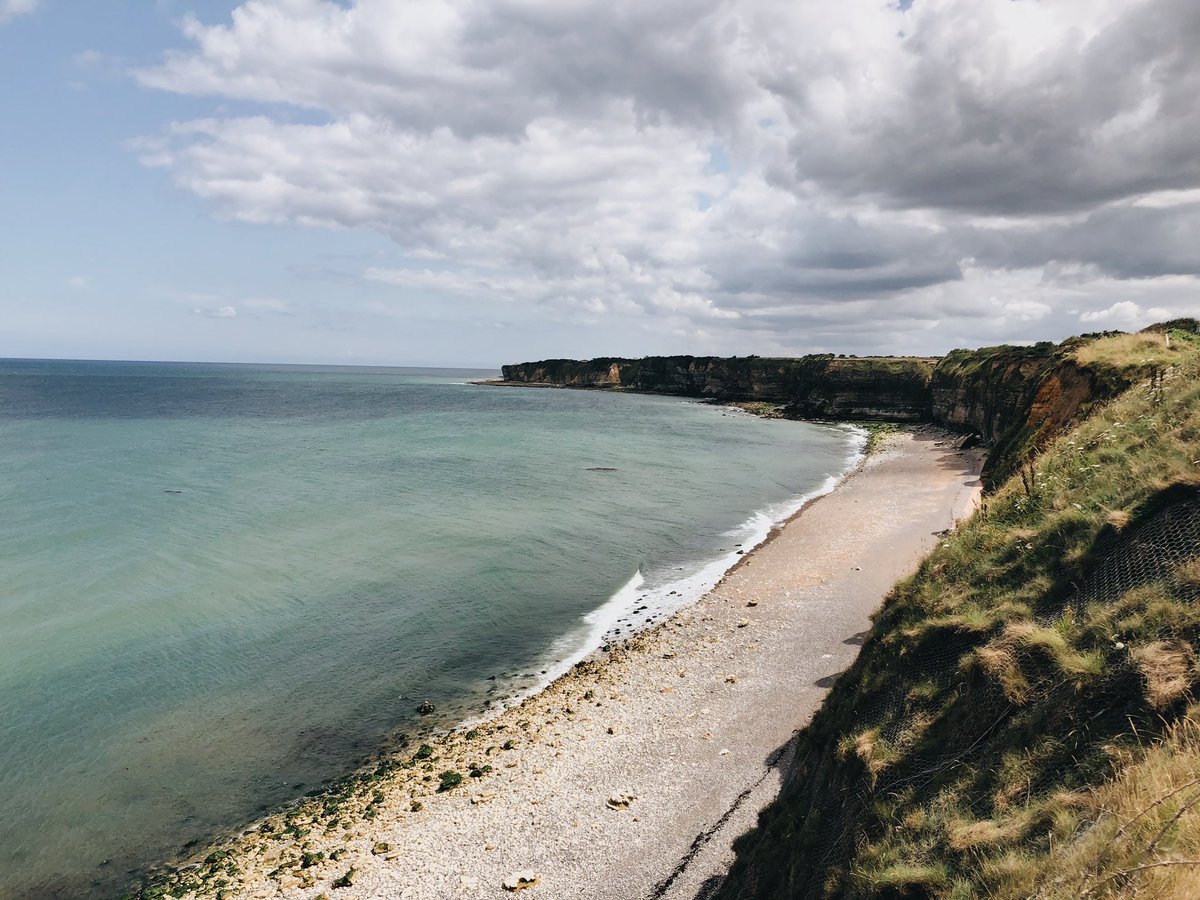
(1016, 399)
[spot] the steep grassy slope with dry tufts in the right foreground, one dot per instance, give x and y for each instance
(1003, 734)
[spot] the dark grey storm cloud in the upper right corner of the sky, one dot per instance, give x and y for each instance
(988, 128)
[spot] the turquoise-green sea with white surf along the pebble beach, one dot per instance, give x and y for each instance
(223, 586)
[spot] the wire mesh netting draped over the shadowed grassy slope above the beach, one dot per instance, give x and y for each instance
(955, 740)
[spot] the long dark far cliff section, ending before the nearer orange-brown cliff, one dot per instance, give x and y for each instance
(809, 387)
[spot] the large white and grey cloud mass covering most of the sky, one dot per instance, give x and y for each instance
(793, 172)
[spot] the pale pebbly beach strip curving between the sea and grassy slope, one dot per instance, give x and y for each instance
(631, 776)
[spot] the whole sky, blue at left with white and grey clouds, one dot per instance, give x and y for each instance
(469, 183)
